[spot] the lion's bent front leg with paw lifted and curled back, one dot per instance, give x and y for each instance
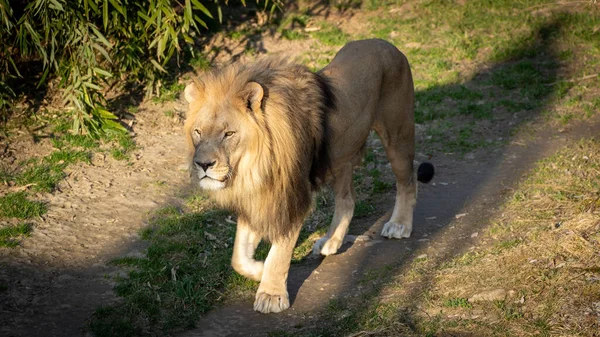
(243, 252)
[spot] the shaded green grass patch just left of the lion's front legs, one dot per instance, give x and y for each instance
(185, 271)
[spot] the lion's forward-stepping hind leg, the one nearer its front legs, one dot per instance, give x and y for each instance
(344, 209)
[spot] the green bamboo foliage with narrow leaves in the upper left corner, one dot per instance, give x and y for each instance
(88, 43)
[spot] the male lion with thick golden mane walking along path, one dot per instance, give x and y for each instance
(264, 136)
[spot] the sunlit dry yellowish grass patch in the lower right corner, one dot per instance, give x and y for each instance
(543, 262)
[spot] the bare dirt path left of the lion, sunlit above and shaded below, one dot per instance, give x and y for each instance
(56, 280)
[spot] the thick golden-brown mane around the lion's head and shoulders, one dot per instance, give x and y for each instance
(289, 158)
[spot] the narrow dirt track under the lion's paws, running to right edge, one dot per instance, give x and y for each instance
(465, 195)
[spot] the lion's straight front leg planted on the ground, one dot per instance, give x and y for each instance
(272, 294)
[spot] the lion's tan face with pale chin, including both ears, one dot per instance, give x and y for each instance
(218, 132)
